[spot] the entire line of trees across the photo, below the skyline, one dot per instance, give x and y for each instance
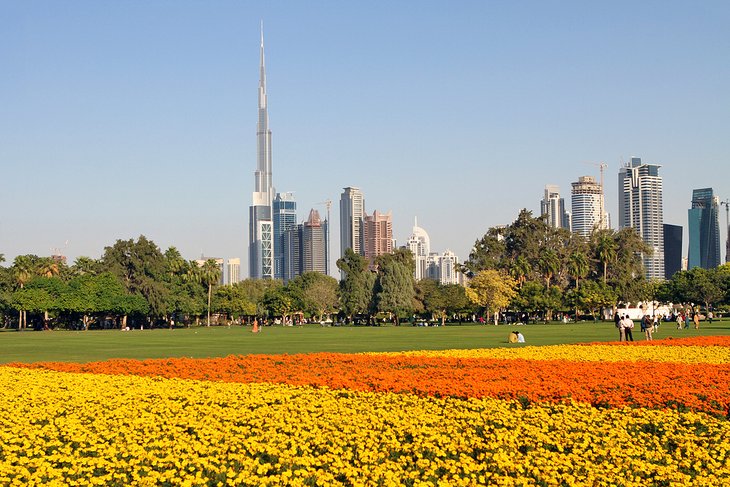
(527, 268)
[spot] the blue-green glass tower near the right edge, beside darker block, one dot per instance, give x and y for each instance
(704, 230)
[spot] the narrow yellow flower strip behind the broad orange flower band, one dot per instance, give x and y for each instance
(593, 353)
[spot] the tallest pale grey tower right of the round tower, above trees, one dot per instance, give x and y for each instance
(640, 206)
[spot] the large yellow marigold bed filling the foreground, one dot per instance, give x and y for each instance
(64, 429)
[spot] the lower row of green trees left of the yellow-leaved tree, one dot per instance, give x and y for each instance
(135, 280)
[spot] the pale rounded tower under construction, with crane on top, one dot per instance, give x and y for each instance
(588, 210)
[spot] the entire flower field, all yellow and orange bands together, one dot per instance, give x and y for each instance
(607, 414)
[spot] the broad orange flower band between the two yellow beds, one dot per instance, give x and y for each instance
(698, 387)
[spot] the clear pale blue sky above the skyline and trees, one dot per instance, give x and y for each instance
(125, 118)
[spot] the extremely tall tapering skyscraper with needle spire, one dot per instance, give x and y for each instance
(260, 229)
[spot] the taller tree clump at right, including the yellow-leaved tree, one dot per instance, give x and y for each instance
(543, 269)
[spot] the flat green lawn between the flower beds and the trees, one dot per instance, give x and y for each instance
(75, 346)
